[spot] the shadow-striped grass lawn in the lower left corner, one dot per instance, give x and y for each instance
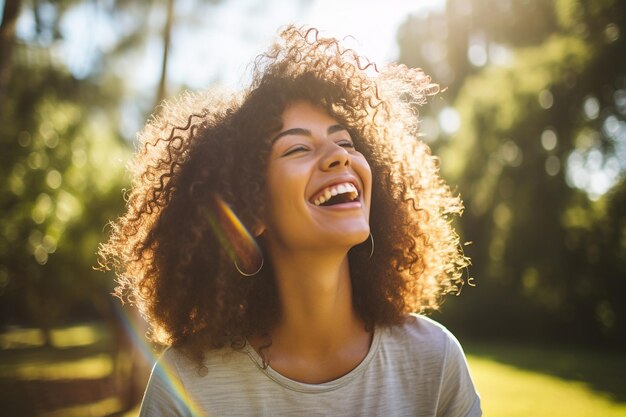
(71, 378)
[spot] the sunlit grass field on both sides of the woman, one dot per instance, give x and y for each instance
(74, 377)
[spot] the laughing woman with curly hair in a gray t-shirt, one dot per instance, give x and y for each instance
(319, 159)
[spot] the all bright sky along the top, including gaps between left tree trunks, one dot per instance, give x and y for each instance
(215, 43)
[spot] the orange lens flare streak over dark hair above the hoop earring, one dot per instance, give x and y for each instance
(235, 238)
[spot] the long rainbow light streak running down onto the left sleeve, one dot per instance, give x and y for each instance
(167, 373)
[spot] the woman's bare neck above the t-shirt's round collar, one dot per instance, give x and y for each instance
(319, 336)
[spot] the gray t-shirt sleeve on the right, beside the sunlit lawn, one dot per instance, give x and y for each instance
(458, 396)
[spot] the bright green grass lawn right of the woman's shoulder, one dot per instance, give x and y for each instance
(548, 382)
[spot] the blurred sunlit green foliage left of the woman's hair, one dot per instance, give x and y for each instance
(62, 169)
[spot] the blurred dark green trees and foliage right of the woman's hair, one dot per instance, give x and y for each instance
(540, 130)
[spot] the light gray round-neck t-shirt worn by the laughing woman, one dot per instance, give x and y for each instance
(414, 369)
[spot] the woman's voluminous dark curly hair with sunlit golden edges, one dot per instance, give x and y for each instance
(171, 264)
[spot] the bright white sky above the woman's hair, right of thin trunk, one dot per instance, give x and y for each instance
(243, 28)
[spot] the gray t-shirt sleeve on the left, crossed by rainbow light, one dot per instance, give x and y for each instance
(164, 395)
